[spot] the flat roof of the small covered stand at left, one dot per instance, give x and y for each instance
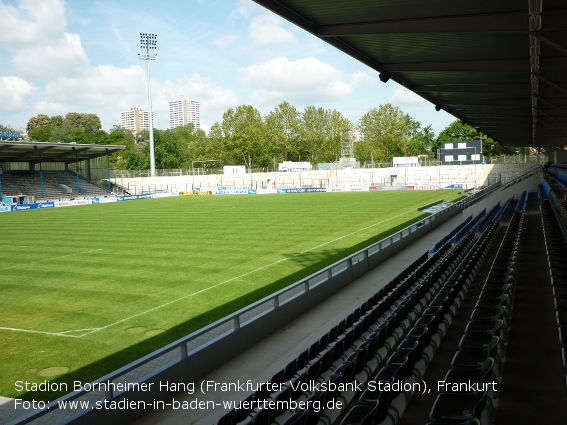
(52, 152)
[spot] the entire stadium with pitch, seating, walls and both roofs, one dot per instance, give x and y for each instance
(339, 297)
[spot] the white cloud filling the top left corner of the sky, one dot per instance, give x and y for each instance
(32, 21)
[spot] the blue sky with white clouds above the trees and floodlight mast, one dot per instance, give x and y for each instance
(82, 56)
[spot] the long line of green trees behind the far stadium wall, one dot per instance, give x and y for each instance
(245, 137)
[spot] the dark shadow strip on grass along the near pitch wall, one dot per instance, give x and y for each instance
(313, 262)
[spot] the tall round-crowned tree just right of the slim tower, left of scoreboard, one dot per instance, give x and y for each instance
(386, 130)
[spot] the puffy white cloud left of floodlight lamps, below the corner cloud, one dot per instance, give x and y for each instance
(62, 57)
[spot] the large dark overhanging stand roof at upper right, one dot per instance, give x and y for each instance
(500, 66)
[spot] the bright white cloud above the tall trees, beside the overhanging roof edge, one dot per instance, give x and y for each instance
(306, 81)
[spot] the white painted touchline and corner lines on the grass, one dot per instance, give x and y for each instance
(92, 330)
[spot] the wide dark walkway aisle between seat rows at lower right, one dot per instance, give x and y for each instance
(533, 391)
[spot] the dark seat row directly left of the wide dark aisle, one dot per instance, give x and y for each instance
(481, 351)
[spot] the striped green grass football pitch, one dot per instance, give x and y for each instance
(88, 289)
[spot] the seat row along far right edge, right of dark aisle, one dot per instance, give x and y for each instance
(556, 246)
